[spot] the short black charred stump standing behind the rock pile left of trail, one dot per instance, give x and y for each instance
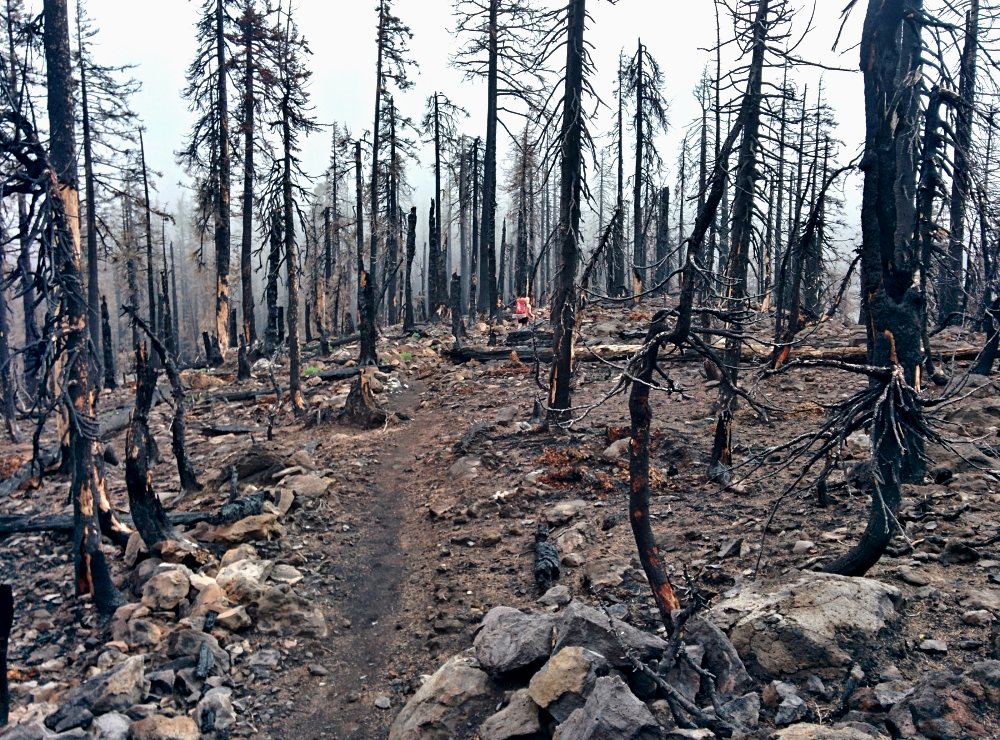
(147, 512)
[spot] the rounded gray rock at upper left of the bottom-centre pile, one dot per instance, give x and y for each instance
(511, 640)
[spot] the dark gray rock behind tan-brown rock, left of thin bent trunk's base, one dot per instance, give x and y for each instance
(585, 626)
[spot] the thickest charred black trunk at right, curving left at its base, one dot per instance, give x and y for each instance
(891, 304)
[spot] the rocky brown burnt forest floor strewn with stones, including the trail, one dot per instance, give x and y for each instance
(381, 558)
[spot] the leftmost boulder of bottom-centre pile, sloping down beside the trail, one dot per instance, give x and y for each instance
(458, 690)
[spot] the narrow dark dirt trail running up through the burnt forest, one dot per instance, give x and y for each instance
(362, 585)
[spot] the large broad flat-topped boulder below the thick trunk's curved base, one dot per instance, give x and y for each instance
(821, 622)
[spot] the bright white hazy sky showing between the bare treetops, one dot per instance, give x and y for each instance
(159, 38)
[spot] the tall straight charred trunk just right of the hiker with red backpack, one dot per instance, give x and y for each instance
(571, 171)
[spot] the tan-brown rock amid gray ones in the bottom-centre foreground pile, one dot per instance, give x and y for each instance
(563, 683)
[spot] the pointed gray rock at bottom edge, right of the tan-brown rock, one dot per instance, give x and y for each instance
(612, 712)
